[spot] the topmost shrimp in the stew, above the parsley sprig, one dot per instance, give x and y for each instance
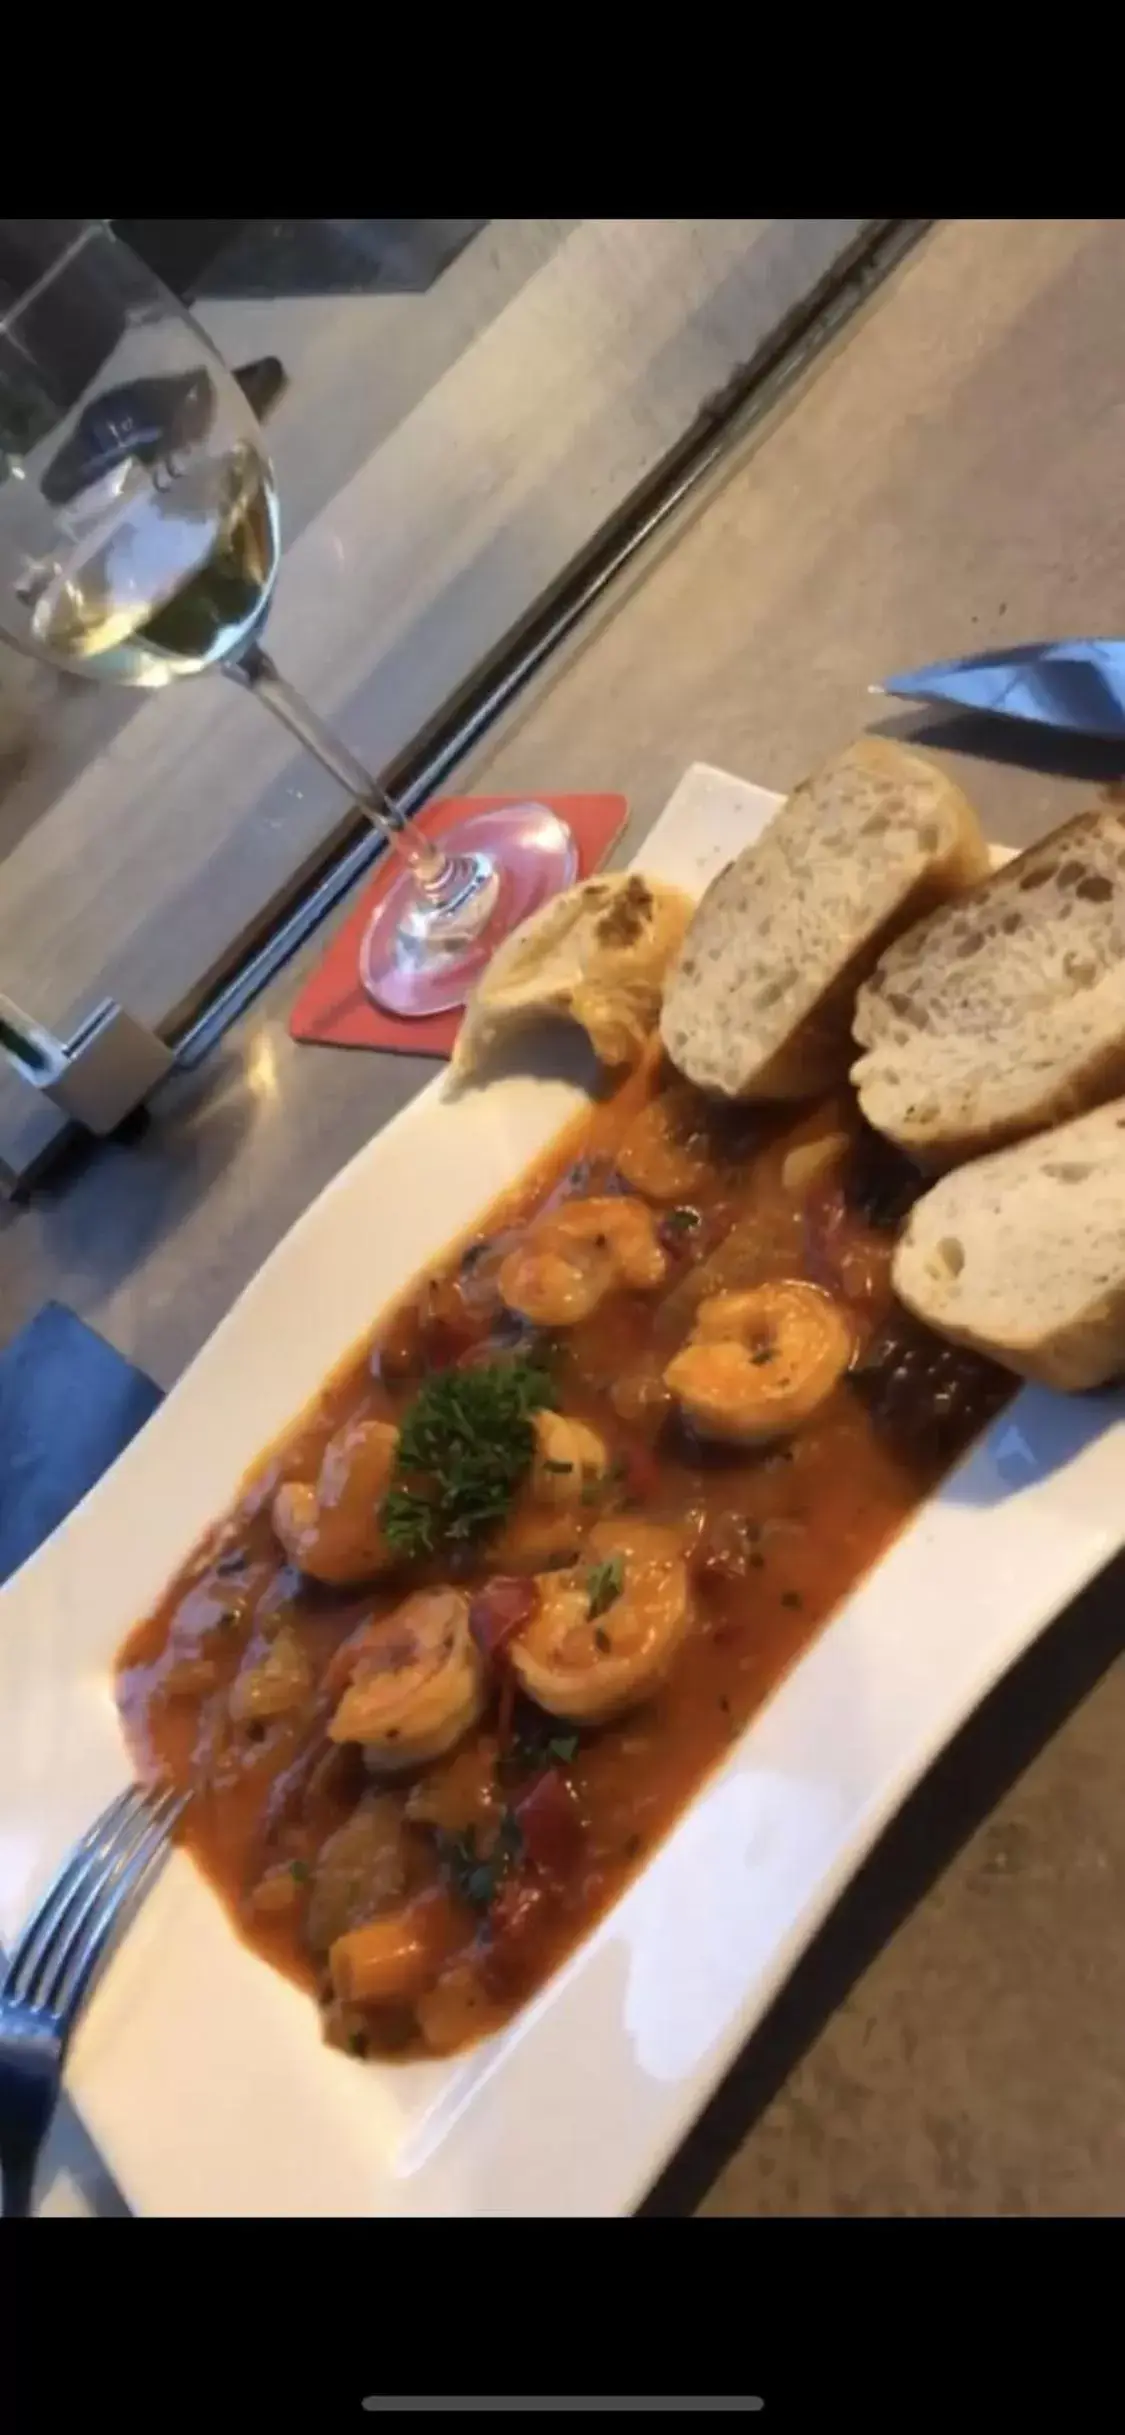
(576, 1255)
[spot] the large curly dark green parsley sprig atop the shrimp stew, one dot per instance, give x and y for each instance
(464, 1450)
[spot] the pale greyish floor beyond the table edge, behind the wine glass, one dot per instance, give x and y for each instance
(442, 457)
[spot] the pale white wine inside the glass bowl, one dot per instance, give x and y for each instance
(169, 578)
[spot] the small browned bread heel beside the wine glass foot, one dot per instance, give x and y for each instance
(595, 953)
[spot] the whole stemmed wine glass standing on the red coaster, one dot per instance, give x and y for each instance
(140, 544)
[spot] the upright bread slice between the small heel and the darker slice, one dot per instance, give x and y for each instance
(761, 997)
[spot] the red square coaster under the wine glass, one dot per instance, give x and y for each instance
(335, 1004)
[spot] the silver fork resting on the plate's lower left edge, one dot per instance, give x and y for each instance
(55, 1966)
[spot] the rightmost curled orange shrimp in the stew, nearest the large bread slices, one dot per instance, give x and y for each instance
(761, 1362)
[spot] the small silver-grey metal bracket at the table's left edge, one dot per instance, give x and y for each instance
(99, 1077)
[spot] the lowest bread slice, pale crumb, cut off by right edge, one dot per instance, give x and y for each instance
(1024, 1255)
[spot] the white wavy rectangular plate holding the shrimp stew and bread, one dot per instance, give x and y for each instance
(198, 2071)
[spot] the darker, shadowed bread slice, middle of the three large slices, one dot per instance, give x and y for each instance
(1004, 1014)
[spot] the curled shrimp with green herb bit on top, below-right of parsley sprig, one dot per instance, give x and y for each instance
(608, 1630)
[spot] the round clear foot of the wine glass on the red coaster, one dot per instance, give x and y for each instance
(420, 958)
